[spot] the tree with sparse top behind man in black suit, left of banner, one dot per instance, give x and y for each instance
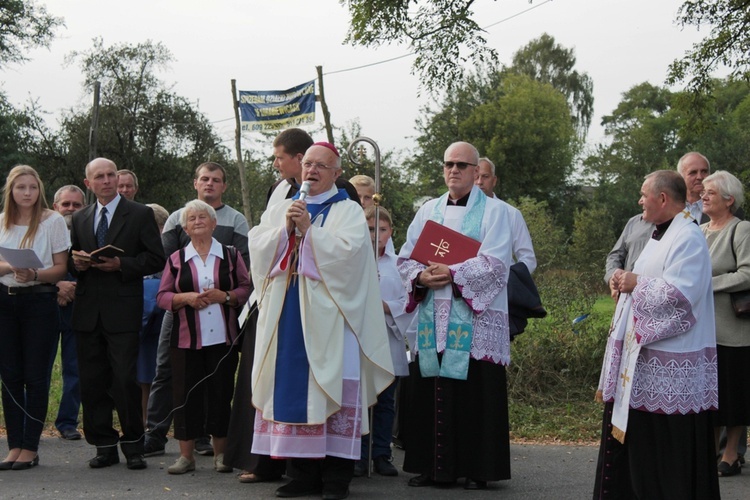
(143, 125)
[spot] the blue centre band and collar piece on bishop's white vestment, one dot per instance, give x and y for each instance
(292, 368)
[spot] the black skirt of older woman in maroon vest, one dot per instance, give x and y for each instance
(203, 384)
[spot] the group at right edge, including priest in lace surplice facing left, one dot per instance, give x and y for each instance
(671, 381)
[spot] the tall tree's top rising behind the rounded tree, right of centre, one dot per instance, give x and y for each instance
(545, 61)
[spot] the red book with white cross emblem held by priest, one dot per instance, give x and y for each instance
(441, 244)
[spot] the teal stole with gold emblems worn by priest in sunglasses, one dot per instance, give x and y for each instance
(455, 362)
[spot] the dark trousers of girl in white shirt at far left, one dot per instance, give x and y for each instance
(28, 328)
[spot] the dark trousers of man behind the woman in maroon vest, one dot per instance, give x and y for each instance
(159, 408)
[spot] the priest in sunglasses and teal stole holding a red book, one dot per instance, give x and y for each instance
(455, 406)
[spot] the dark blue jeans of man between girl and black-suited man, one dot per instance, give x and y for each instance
(70, 400)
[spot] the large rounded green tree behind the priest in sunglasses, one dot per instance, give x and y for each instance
(523, 125)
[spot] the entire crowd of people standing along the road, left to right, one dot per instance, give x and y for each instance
(301, 346)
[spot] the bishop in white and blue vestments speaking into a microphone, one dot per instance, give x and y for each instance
(321, 354)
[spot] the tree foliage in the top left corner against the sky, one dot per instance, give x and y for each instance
(24, 25)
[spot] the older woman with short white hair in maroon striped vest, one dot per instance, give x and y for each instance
(204, 284)
